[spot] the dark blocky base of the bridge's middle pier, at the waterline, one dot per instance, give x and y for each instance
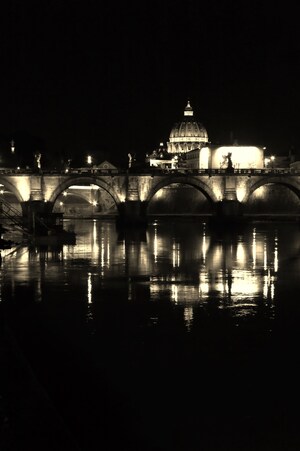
(132, 213)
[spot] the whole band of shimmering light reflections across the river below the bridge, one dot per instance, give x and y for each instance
(181, 261)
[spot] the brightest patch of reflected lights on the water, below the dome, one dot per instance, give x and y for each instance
(237, 270)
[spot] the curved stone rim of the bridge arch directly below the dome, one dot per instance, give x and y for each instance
(191, 181)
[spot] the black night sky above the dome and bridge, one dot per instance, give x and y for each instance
(89, 76)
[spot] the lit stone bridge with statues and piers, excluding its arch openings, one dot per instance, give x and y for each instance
(133, 191)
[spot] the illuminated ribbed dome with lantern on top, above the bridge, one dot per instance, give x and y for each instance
(187, 134)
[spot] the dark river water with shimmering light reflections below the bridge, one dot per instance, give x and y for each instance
(179, 338)
